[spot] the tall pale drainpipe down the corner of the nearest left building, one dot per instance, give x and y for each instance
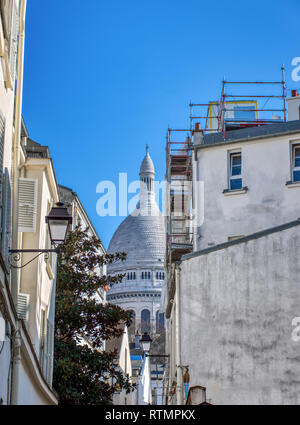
(16, 143)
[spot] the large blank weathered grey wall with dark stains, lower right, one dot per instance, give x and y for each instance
(237, 305)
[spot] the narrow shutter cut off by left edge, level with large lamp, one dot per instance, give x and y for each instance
(6, 216)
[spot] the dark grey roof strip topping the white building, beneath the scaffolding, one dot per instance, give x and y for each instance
(250, 133)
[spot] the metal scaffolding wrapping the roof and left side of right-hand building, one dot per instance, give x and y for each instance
(231, 112)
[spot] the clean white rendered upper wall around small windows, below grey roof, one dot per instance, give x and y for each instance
(266, 167)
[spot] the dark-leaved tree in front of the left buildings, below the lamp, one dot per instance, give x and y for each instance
(84, 374)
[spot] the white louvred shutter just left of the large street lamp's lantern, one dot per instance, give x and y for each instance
(27, 205)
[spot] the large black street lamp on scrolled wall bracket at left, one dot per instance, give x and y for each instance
(58, 222)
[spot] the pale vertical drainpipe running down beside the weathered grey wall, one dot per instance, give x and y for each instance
(177, 341)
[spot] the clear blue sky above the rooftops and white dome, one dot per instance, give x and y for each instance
(102, 79)
